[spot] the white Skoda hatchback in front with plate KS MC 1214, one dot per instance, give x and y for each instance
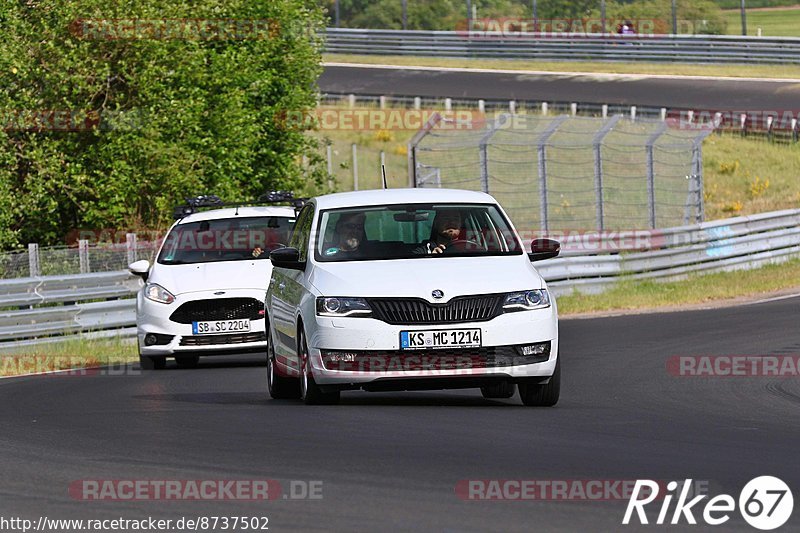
(410, 289)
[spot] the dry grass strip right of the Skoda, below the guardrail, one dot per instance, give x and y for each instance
(697, 289)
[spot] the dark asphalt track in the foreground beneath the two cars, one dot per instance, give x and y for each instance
(391, 461)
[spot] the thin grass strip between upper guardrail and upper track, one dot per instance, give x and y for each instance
(667, 69)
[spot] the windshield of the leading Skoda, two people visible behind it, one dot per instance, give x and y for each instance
(406, 231)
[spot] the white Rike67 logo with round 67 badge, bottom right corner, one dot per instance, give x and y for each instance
(765, 503)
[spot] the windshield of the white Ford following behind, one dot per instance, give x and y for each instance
(225, 239)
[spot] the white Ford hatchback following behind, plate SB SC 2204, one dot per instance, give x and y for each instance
(204, 292)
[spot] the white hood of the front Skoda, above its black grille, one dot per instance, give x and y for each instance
(454, 276)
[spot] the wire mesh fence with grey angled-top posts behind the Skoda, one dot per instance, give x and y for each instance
(568, 172)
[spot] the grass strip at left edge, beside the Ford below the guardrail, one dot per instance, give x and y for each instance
(73, 353)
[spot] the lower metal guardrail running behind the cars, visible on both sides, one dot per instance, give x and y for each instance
(54, 308)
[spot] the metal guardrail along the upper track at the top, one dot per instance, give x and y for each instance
(567, 47)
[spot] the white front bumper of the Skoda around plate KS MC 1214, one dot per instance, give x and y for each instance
(367, 351)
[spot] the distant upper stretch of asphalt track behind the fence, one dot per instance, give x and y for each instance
(681, 93)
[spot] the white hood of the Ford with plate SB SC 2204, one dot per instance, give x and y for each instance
(223, 275)
